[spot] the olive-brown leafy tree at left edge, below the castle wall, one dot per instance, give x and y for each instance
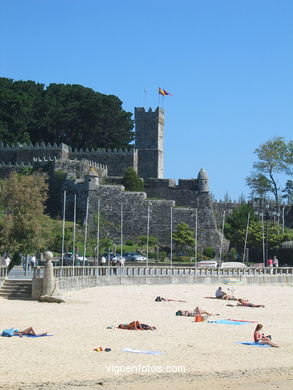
(24, 227)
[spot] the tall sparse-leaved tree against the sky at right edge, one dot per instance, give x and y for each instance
(274, 157)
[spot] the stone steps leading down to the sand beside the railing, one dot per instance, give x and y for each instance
(16, 289)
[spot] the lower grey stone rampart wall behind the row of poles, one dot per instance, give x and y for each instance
(135, 210)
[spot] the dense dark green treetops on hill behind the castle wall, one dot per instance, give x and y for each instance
(73, 114)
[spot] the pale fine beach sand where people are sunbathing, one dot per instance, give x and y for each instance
(194, 354)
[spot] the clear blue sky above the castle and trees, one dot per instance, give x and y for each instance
(227, 63)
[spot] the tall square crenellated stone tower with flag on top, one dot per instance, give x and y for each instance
(149, 136)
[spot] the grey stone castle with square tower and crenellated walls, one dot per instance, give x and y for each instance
(96, 176)
